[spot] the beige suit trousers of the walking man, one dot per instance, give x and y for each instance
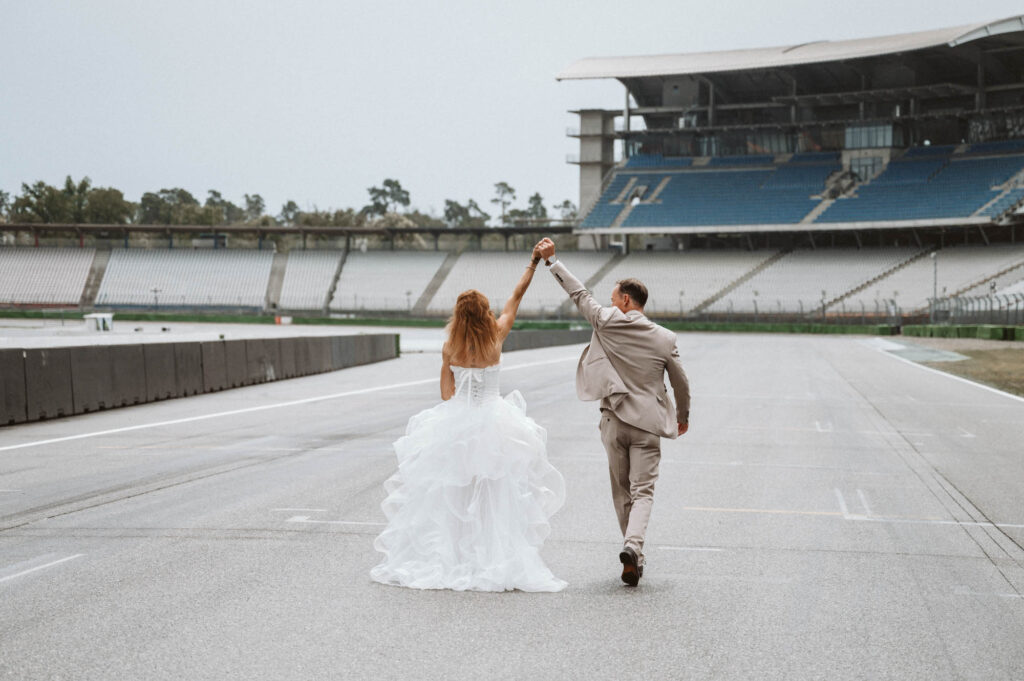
(634, 456)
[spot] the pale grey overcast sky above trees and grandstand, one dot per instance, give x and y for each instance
(318, 101)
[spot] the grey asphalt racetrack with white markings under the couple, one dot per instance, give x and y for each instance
(836, 512)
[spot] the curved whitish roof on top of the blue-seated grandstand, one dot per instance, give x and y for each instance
(770, 58)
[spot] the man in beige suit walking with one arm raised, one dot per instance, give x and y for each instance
(625, 367)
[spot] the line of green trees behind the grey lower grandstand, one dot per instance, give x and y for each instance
(389, 205)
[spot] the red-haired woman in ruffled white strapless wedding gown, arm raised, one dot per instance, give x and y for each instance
(470, 505)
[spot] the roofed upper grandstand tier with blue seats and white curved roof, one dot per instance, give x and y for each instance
(906, 132)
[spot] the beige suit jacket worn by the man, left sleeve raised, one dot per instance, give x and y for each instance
(626, 363)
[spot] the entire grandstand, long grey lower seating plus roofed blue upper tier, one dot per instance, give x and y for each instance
(805, 182)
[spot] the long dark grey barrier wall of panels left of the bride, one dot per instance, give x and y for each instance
(38, 385)
